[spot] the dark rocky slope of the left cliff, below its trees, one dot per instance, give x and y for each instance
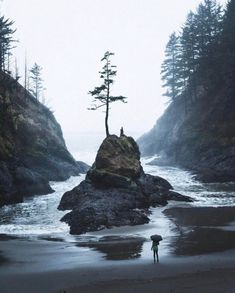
(32, 148)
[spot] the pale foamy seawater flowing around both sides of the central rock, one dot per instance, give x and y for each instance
(38, 218)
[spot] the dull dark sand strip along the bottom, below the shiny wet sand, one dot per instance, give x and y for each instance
(214, 273)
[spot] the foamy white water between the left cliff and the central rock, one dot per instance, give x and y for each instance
(39, 214)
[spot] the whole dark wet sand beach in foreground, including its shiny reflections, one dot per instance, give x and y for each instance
(201, 258)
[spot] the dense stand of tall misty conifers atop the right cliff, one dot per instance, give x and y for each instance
(199, 49)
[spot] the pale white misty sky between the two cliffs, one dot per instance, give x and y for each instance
(69, 37)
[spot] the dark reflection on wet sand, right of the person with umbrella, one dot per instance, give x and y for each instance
(201, 230)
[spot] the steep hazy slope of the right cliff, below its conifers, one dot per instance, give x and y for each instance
(201, 139)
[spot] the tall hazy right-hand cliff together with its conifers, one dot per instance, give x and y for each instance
(197, 130)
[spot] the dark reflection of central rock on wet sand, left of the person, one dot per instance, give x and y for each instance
(117, 247)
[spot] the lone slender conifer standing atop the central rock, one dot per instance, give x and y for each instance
(102, 94)
